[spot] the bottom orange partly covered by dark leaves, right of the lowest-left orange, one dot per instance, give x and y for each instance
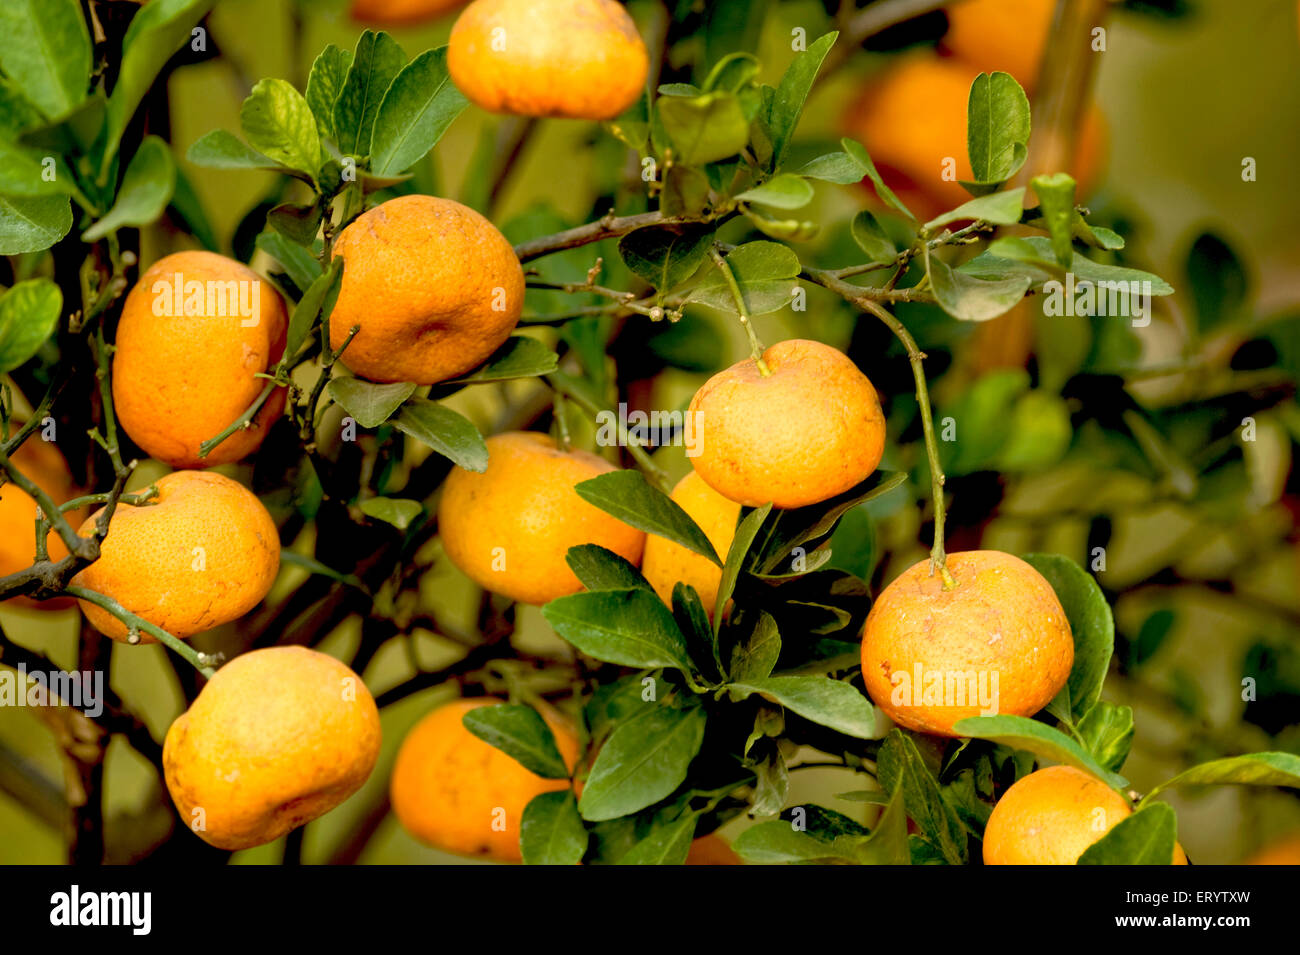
(457, 793)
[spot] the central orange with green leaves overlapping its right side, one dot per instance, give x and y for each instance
(510, 528)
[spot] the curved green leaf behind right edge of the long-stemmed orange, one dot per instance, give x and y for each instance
(1091, 623)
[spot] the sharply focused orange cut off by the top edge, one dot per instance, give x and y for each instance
(575, 59)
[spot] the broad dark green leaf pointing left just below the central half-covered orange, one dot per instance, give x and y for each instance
(631, 628)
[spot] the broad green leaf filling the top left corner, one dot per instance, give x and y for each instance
(45, 49)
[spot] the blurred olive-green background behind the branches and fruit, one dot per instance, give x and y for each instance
(1186, 101)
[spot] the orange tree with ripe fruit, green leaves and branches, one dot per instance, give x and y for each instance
(388, 303)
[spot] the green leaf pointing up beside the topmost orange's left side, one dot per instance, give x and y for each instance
(418, 108)
